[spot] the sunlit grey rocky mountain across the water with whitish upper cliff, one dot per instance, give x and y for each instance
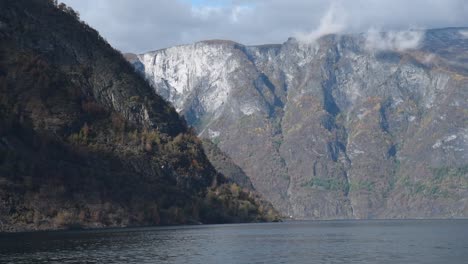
(370, 125)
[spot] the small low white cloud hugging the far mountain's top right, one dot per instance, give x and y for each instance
(393, 40)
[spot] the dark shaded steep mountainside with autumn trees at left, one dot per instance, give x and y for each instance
(85, 142)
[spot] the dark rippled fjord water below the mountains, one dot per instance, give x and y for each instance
(380, 241)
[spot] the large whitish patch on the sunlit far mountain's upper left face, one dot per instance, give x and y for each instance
(179, 72)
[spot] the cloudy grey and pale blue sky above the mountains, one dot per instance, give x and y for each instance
(144, 25)
